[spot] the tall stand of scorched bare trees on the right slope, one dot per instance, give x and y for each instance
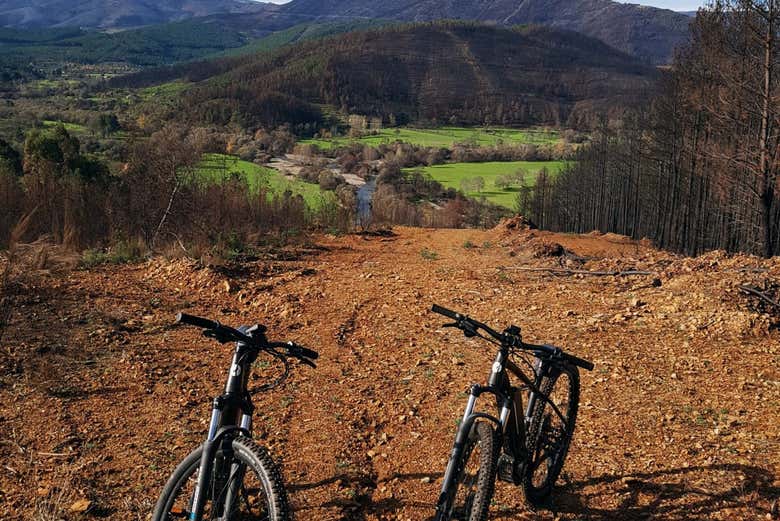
(698, 169)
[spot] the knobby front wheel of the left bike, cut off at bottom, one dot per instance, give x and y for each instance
(246, 485)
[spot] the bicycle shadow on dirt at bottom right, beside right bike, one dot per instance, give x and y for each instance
(663, 494)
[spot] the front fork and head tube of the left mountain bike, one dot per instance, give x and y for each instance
(223, 427)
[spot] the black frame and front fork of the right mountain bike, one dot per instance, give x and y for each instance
(511, 422)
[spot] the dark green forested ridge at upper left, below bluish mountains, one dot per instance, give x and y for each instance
(36, 53)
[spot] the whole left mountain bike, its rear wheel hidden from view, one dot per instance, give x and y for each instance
(230, 477)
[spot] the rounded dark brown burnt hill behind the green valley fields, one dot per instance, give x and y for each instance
(443, 72)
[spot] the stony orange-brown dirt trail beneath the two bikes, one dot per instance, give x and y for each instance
(680, 419)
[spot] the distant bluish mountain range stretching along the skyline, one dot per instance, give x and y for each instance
(645, 32)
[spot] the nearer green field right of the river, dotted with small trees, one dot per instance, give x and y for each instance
(451, 175)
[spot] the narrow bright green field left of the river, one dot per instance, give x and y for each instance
(220, 167)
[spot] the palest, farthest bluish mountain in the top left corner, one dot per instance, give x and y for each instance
(115, 14)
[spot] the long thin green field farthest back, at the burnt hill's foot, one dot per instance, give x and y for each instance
(445, 137)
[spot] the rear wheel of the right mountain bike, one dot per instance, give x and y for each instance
(549, 435)
